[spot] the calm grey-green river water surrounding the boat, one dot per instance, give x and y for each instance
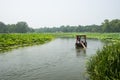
(56, 60)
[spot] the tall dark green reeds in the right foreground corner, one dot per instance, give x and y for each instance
(106, 64)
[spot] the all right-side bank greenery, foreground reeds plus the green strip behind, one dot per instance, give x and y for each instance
(104, 65)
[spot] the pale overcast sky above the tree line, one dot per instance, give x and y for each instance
(40, 13)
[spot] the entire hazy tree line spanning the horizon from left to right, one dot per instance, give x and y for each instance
(22, 27)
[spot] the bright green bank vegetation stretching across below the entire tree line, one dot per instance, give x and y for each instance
(11, 41)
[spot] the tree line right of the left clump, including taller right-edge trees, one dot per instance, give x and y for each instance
(106, 26)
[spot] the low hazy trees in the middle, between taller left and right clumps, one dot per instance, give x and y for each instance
(79, 28)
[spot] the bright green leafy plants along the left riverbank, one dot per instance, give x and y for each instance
(9, 41)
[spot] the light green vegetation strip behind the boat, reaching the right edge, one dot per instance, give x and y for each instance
(101, 36)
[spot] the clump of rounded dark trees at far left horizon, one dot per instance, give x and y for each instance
(20, 27)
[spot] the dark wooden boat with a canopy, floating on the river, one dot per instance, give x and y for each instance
(81, 41)
